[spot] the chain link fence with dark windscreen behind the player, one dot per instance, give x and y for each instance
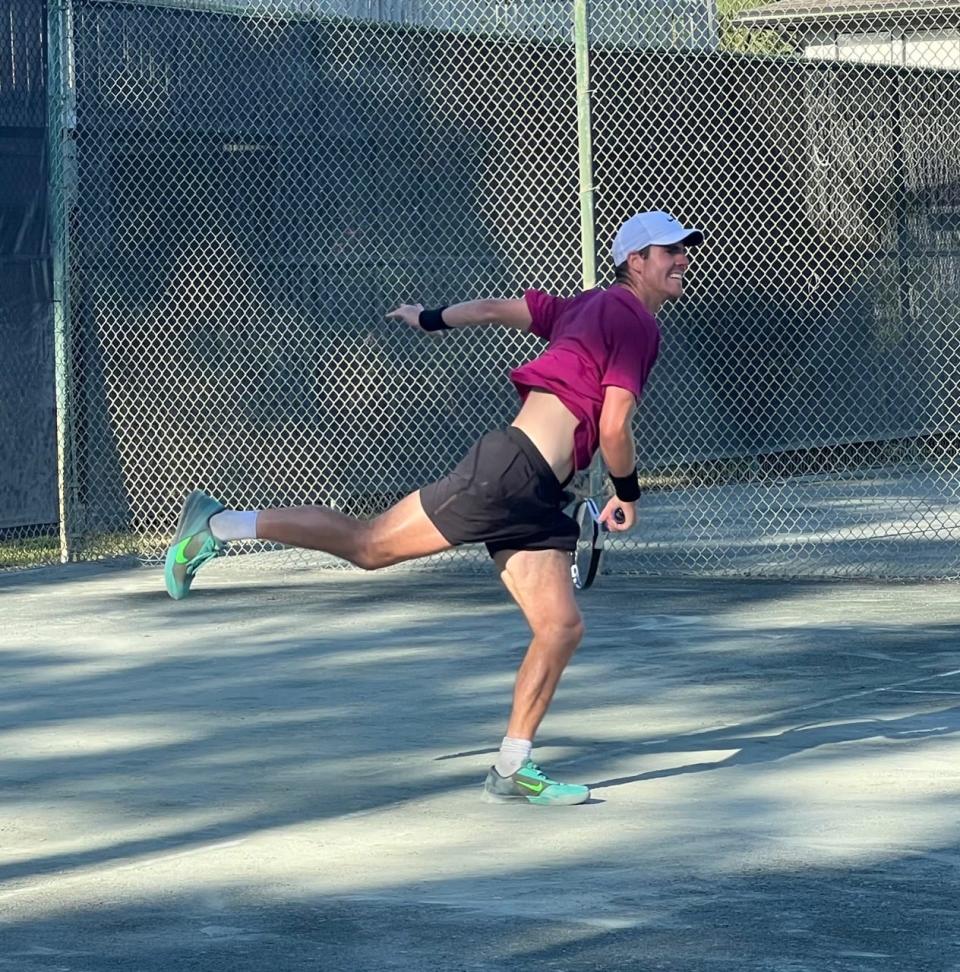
(242, 189)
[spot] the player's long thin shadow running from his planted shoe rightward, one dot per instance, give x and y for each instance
(750, 750)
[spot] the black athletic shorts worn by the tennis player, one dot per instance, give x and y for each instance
(502, 493)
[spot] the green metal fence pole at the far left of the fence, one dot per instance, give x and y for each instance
(60, 124)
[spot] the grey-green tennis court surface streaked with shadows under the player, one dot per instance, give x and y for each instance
(282, 773)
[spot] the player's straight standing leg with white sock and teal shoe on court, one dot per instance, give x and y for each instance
(539, 581)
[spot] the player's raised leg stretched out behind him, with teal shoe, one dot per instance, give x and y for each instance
(404, 532)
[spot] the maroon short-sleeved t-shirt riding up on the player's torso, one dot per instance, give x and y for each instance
(596, 338)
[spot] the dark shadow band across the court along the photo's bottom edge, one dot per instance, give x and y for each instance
(625, 907)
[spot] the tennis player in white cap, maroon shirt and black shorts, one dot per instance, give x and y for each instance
(508, 491)
